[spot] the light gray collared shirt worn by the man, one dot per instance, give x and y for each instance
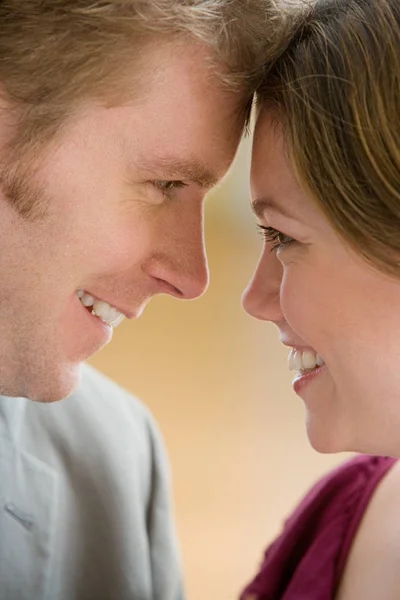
(84, 499)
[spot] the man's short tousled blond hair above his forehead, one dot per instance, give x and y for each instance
(57, 53)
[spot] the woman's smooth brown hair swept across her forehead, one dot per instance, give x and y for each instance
(336, 90)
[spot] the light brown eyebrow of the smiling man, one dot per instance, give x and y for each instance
(177, 168)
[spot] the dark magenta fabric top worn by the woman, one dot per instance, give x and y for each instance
(307, 560)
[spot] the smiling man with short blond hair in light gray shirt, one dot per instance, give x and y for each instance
(116, 119)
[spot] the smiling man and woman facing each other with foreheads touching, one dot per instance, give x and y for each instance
(116, 119)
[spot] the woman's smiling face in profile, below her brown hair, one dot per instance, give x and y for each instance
(331, 308)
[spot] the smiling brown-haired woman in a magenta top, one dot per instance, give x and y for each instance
(326, 192)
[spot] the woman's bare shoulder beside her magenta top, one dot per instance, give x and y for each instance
(372, 569)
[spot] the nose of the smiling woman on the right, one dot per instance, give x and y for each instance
(261, 298)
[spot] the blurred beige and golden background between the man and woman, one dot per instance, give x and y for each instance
(218, 384)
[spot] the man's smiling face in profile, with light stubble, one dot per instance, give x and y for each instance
(115, 228)
